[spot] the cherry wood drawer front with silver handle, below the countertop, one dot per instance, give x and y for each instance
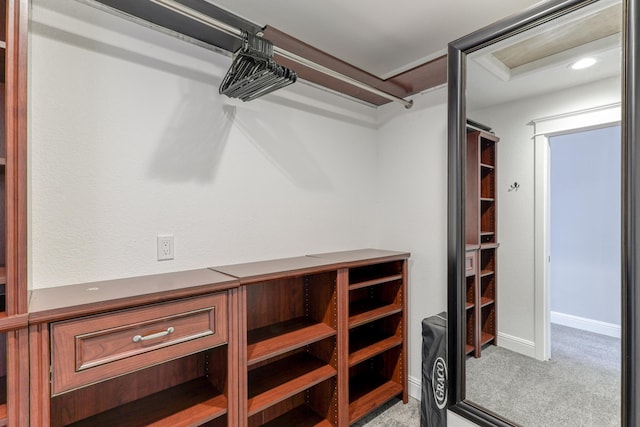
(94, 348)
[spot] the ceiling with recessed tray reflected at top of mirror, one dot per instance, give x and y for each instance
(538, 61)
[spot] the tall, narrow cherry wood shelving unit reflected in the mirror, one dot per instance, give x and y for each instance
(481, 234)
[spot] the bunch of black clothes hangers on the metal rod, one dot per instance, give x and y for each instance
(253, 72)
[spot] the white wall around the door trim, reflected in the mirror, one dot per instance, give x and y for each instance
(516, 208)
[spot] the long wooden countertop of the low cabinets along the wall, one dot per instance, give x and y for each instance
(63, 302)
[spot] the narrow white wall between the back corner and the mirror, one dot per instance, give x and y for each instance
(412, 176)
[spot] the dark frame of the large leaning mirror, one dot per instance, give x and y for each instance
(630, 321)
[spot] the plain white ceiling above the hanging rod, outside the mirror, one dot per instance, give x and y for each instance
(378, 36)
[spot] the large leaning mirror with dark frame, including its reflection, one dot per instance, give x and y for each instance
(542, 191)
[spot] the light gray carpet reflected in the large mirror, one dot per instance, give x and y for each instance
(579, 386)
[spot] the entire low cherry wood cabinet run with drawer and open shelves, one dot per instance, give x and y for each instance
(307, 341)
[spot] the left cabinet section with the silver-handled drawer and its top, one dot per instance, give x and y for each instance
(157, 350)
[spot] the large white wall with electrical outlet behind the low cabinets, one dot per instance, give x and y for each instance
(129, 138)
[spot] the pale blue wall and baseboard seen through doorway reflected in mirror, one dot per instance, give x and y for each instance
(584, 230)
